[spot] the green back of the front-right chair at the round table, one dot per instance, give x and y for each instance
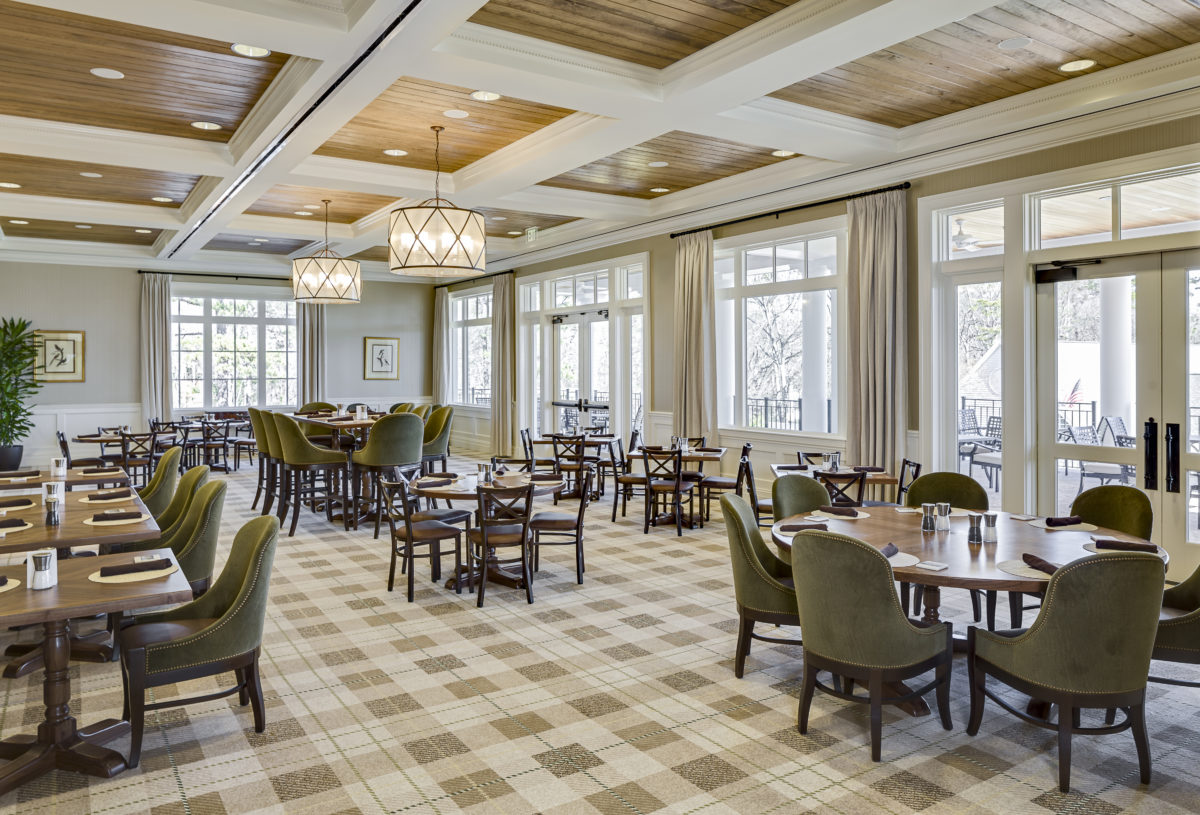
(1084, 642)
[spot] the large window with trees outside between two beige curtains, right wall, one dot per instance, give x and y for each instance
(779, 326)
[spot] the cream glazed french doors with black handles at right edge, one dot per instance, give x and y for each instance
(1119, 385)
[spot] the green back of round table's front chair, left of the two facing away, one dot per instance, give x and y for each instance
(849, 607)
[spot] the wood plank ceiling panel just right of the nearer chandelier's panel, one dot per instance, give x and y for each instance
(693, 160)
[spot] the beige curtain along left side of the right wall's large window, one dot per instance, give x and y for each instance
(695, 338)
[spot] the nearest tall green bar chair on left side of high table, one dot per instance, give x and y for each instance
(309, 474)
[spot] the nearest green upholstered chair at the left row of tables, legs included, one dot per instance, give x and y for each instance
(218, 633)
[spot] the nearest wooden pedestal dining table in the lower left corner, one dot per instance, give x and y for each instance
(59, 742)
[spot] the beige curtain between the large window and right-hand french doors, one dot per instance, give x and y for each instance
(877, 410)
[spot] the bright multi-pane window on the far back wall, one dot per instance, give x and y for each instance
(232, 352)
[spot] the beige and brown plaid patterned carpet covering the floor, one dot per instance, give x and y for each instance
(616, 697)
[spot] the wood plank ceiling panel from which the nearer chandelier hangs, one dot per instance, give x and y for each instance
(401, 117)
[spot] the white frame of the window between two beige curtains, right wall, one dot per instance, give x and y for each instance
(835, 227)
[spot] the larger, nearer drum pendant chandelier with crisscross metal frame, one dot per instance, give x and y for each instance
(437, 239)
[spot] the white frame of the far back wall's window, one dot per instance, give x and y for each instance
(261, 295)
